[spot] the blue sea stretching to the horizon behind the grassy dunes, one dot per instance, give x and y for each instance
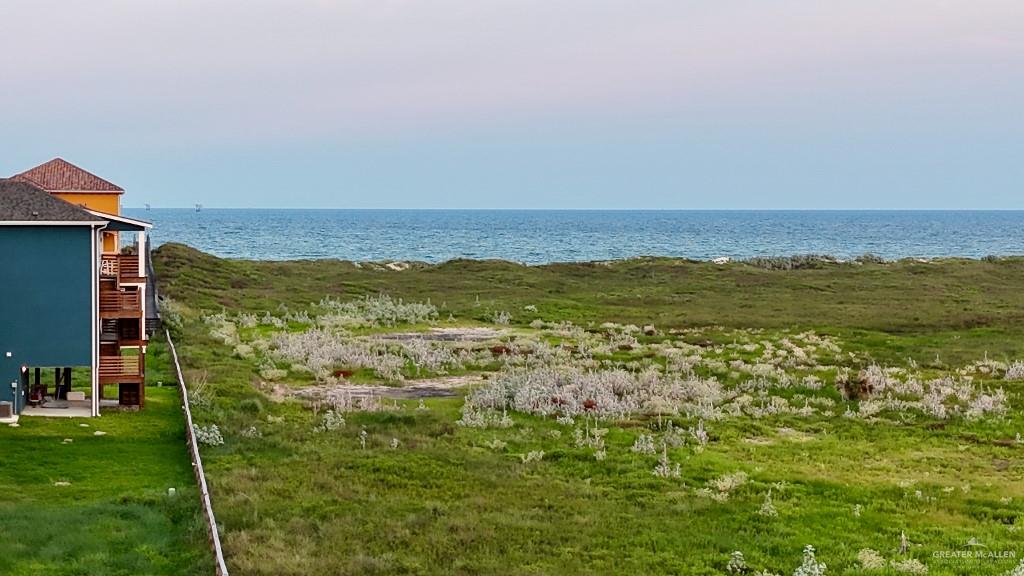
(543, 236)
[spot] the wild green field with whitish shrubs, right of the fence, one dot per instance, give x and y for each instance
(869, 410)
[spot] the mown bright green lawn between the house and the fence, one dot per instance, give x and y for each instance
(84, 504)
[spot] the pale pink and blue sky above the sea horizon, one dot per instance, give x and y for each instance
(524, 104)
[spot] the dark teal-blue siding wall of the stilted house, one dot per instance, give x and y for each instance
(46, 301)
